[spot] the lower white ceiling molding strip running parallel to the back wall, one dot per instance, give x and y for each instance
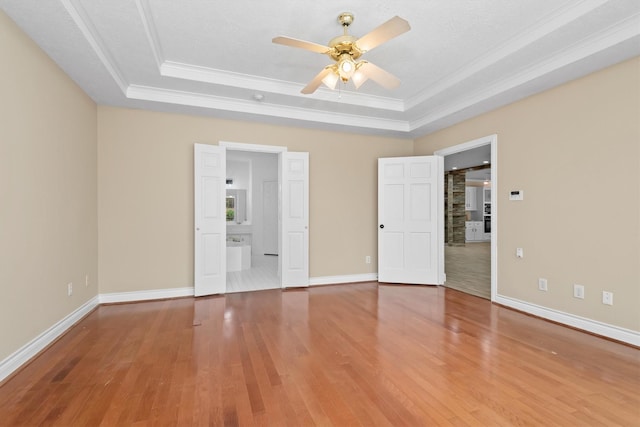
(146, 93)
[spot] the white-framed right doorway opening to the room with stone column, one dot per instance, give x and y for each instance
(480, 252)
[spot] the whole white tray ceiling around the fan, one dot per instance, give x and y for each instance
(461, 57)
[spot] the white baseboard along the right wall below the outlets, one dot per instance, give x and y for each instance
(610, 331)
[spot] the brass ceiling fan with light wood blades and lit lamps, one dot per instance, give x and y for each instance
(346, 49)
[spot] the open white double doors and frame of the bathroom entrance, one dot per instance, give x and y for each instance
(211, 213)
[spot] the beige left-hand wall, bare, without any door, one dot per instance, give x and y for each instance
(48, 200)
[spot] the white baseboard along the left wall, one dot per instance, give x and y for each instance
(33, 347)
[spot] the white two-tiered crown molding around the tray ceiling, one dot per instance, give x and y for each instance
(618, 33)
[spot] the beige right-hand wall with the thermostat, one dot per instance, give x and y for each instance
(574, 150)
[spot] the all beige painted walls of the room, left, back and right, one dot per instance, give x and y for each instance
(573, 149)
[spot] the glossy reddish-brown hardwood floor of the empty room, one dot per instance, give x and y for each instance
(358, 354)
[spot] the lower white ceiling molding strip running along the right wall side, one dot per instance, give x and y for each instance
(621, 32)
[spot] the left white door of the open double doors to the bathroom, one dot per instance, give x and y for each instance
(210, 252)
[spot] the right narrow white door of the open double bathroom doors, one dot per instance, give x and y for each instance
(295, 219)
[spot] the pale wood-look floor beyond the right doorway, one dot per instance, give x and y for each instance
(468, 268)
